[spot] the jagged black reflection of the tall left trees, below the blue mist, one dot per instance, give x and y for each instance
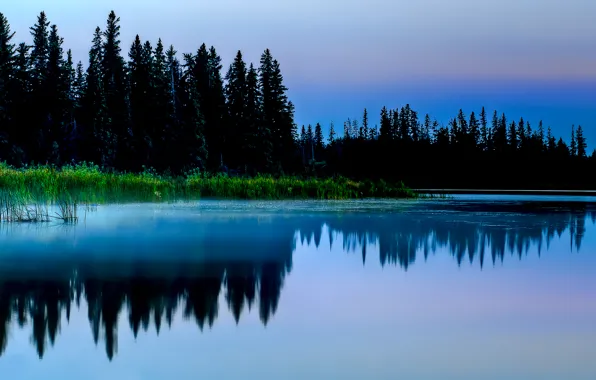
(42, 303)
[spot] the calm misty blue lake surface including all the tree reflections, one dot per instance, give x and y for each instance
(473, 288)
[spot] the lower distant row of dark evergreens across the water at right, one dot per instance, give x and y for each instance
(474, 151)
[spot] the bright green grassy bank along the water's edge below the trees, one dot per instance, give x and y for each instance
(88, 184)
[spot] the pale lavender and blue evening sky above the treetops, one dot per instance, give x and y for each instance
(530, 58)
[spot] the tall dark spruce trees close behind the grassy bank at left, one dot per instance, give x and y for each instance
(151, 110)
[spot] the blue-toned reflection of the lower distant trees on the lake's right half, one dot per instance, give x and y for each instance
(494, 231)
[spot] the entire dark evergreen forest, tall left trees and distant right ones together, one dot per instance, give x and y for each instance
(173, 114)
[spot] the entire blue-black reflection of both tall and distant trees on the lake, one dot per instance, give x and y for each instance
(183, 262)
